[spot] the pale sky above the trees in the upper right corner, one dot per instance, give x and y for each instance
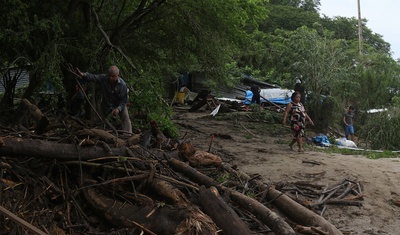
(382, 15)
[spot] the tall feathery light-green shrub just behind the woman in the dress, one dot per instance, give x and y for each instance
(319, 61)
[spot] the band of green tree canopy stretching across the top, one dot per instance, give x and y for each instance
(153, 41)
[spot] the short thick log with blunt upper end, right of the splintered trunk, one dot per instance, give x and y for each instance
(221, 213)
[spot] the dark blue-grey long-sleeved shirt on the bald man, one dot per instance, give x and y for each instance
(112, 98)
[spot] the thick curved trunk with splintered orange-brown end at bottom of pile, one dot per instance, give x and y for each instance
(153, 219)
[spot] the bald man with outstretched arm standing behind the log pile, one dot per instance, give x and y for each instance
(114, 95)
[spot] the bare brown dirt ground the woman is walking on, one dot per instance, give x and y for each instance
(256, 149)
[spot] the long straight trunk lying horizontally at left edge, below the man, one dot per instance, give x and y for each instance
(51, 150)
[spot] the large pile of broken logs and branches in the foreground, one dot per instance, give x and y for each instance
(79, 180)
